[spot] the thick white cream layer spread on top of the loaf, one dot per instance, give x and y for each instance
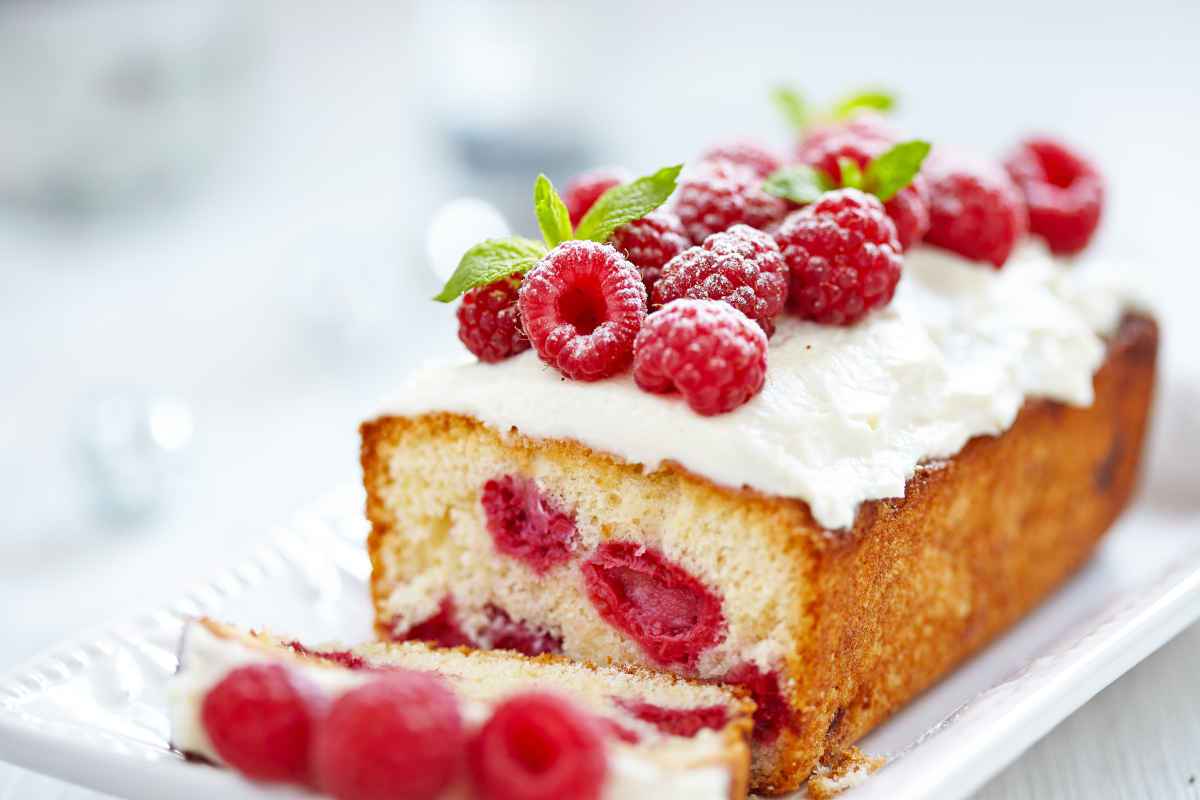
(848, 414)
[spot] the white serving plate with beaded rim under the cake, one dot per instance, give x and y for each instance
(92, 712)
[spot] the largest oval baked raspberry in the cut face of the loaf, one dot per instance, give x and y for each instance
(658, 604)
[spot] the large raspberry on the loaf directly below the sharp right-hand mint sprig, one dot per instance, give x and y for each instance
(844, 257)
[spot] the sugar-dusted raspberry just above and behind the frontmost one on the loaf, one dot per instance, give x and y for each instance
(742, 267)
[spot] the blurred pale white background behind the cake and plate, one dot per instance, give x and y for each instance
(215, 218)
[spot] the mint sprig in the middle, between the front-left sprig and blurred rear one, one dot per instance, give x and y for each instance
(885, 176)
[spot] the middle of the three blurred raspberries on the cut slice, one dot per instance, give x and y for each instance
(399, 737)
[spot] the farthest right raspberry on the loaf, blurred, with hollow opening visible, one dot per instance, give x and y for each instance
(1064, 191)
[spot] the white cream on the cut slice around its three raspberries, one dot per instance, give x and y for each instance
(206, 659)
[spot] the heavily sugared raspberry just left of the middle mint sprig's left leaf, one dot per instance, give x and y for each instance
(721, 195)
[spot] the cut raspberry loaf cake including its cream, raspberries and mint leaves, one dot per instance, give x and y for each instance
(808, 455)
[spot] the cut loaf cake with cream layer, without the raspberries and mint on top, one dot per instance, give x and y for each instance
(901, 494)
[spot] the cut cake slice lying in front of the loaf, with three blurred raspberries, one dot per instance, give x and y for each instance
(386, 721)
